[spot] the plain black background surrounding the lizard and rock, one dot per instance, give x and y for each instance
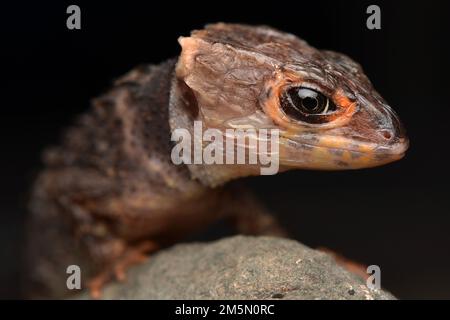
(394, 216)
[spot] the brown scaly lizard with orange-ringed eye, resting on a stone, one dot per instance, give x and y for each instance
(109, 194)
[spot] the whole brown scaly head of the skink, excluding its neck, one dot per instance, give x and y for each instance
(328, 114)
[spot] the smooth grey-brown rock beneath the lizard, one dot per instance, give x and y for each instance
(241, 267)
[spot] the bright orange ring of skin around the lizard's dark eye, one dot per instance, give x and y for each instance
(282, 81)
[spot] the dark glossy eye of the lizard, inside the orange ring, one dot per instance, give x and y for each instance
(306, 104)
